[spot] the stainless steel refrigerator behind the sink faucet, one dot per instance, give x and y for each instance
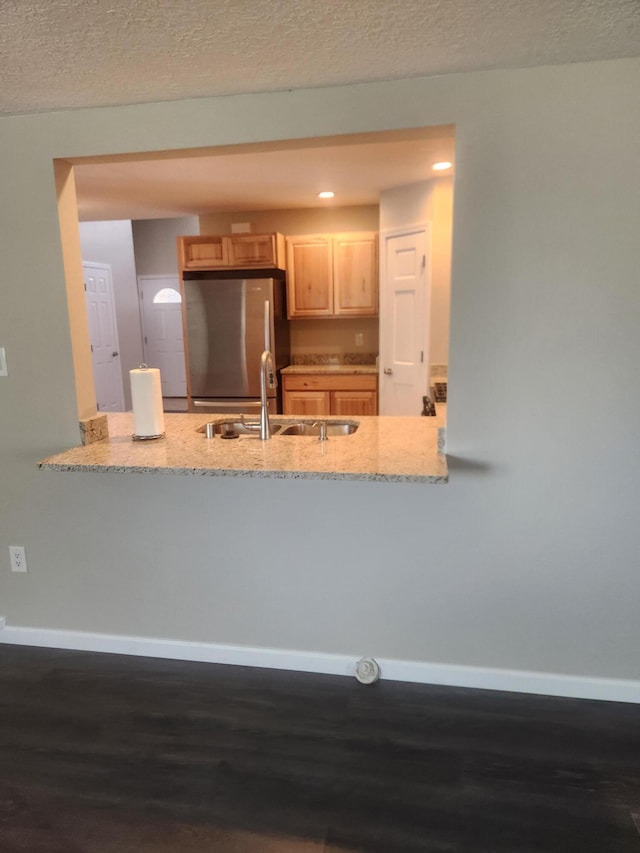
(229, 319)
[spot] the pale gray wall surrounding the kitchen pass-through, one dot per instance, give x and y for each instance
(528, 559)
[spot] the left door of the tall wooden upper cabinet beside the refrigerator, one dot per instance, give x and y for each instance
(309, 275)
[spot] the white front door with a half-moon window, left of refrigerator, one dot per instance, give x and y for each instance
(163, 343)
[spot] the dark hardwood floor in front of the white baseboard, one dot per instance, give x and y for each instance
(113, 754)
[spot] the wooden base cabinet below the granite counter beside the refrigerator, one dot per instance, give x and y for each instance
(318, 394)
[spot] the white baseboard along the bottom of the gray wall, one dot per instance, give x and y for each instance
(451, 675)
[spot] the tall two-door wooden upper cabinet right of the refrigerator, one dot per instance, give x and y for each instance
(333, 275)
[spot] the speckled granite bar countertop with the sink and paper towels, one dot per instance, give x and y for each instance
(393, 449)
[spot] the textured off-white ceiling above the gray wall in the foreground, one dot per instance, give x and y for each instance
(57, 54)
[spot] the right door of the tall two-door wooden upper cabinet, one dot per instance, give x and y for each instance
(355, 275)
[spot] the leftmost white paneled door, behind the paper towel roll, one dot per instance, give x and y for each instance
(103, 333)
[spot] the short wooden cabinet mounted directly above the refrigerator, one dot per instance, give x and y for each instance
(221, 251)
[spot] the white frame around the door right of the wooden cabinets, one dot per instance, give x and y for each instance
(385, 234)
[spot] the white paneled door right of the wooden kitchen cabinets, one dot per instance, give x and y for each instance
(404, 323)
